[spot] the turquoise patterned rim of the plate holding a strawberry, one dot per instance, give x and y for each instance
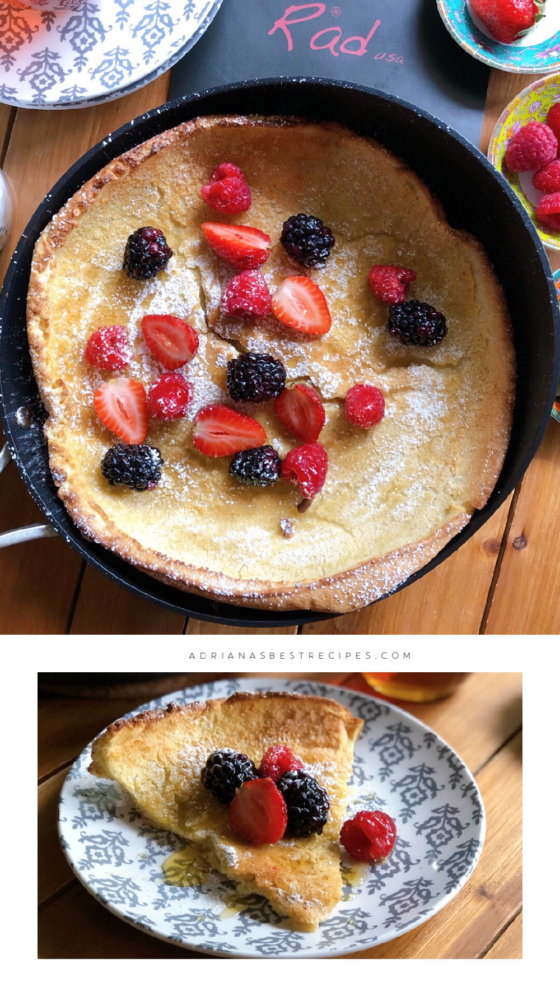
(457, 20)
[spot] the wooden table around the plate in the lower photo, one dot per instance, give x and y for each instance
(482, 722)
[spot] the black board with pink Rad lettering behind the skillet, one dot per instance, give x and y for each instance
(398, 46)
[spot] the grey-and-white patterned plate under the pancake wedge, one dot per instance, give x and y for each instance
(401, 767)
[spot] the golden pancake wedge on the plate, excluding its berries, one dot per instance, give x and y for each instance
(158, 757)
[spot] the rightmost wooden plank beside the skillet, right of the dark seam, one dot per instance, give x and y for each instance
(527, 594)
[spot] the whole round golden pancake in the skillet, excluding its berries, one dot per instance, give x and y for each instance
(394, 495)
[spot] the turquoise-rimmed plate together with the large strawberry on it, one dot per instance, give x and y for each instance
(518, 36)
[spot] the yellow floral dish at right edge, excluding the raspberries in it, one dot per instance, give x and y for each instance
(531, 104)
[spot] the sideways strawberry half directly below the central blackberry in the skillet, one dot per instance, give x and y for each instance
(221, 431)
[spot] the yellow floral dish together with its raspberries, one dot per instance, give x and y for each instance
(525, 148)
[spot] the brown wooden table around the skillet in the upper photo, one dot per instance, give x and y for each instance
(506, 579)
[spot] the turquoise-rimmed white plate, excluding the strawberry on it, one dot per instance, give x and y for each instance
(537, 52)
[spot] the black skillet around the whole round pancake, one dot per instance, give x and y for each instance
(474, 196)
